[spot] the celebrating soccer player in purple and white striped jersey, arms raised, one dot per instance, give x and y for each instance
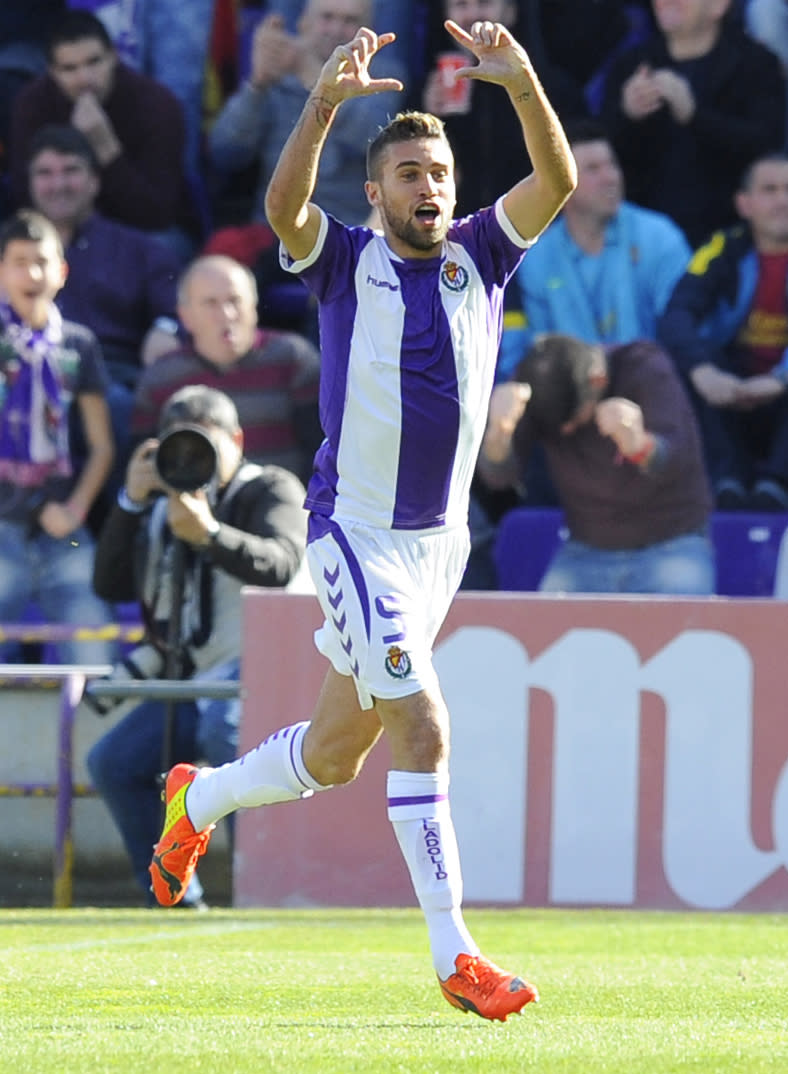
(411, 323)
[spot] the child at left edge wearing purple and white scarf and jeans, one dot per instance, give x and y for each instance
(47, 553)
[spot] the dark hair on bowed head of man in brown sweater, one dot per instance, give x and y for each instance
(559, 369)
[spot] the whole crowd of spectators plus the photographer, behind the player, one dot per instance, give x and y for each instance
(643, 379)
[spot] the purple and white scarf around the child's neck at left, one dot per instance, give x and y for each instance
(34, 416)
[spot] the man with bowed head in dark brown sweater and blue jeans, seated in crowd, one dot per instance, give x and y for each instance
(624, 453)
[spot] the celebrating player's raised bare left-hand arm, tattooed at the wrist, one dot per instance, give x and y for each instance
(345, 75)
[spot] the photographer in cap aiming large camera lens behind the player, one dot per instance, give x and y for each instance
(194, 518)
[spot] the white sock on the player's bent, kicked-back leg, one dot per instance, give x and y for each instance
(273, 772)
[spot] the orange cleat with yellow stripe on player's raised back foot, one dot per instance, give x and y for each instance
(177, 854)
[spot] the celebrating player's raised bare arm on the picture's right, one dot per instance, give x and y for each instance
(533, 204)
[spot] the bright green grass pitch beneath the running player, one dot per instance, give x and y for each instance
(320, 992)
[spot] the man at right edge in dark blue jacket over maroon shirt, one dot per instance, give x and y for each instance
(726, 327)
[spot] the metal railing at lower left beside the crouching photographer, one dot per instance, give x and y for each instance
(72, 680)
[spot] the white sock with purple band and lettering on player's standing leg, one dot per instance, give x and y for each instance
(419, 812)
